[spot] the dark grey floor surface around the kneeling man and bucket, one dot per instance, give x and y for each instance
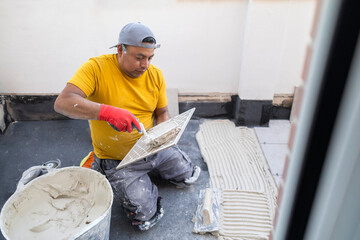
(27, 144)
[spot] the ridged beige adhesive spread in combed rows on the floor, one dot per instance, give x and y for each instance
(238, 168)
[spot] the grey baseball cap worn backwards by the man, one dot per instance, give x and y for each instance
(134, 33)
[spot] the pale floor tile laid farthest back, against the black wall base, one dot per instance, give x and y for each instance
(276, 133)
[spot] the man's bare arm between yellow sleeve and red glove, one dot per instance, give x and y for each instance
(72, 103)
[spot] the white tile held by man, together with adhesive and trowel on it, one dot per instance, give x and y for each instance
(158, 138)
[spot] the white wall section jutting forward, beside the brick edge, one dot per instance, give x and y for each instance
(276, 36)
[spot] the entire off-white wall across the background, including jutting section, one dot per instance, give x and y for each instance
(207, 46)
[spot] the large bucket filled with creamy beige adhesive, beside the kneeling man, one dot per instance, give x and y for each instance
(66, 203)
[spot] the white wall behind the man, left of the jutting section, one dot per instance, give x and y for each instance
(43, 42)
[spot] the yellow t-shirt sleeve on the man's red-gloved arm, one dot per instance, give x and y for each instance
(85, 77)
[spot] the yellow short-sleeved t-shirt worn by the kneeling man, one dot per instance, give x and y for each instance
(101, 79)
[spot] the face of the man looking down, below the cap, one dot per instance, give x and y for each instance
(135, 61)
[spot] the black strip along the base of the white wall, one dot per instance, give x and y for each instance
(36, 107)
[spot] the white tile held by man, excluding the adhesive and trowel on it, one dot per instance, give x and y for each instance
(143, 148)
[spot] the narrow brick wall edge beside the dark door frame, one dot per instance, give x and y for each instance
(297, 107)
